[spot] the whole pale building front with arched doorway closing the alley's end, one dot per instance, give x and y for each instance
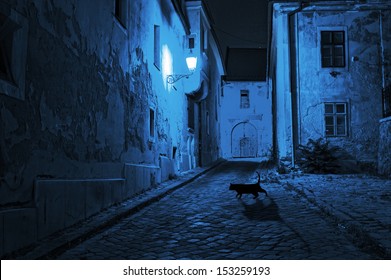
(246, 125)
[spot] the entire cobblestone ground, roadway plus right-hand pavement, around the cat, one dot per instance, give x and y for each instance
(304, 217)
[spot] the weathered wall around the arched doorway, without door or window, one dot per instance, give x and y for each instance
(258, 116)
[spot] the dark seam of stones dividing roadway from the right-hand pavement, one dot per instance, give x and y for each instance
(360, 237)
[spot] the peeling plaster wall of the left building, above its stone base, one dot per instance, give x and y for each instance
(89, 86)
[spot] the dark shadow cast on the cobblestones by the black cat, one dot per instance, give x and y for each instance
(261, 210)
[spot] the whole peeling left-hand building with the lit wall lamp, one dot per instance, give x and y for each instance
(97, 104)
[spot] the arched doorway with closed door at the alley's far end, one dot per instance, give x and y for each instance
(244, 141)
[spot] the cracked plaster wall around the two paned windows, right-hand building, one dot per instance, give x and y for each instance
(359, 84)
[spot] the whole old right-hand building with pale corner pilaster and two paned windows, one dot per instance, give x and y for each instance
(329, 64)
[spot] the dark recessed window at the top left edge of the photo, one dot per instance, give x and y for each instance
(13, 52)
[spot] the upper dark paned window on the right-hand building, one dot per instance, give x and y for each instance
(333, 48)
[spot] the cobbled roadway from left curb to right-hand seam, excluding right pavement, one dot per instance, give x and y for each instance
(204, 220)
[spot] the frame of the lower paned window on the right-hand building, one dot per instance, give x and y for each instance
(334, 116)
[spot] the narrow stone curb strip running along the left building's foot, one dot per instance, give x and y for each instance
(55, 244)
